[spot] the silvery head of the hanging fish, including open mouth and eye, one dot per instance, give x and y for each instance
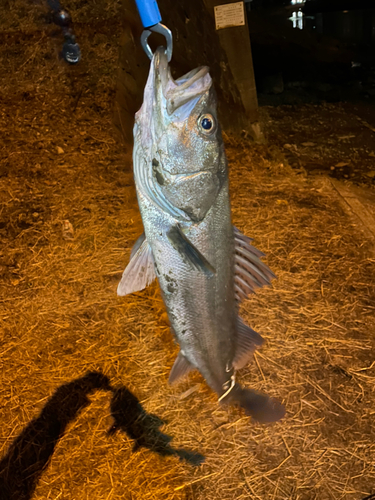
(184, 164)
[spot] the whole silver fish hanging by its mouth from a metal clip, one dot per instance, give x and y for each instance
(204, 265)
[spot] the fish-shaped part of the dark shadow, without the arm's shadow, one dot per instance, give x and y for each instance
(130, 417)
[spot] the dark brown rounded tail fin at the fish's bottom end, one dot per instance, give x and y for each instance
(260, 407)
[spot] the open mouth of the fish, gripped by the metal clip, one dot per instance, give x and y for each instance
(184, 90)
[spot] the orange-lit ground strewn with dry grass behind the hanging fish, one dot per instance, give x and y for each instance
(85, 408)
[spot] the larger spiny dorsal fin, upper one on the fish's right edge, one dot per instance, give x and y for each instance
(250, 272)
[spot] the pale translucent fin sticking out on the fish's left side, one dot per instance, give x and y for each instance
(140, 271)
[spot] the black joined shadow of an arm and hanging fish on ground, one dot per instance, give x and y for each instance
(29, 454)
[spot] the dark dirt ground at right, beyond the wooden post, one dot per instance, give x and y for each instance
(334, 139)
